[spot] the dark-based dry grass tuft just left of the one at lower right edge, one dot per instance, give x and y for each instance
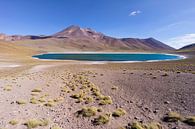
(173, 117)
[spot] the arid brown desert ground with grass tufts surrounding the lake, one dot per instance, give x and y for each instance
(82, 95)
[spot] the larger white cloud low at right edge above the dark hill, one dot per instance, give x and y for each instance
(181, 41)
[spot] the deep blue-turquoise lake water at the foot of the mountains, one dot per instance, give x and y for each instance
(131, 57)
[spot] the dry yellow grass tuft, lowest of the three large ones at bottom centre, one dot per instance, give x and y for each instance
(102, 119)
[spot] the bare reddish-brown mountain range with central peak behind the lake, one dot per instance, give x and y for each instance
(77, 38)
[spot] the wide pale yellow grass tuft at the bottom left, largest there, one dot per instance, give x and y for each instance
(33, 123)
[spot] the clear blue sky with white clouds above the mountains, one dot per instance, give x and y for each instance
(170, 21)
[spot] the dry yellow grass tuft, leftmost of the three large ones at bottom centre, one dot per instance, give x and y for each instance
(87, 111)
